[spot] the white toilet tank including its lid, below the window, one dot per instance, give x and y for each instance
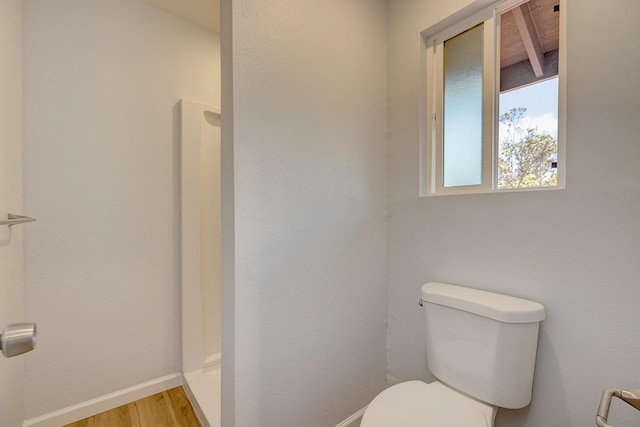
(482, 343)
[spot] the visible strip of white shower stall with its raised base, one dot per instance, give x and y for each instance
(200, 258)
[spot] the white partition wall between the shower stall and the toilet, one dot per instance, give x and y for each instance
(309, 126)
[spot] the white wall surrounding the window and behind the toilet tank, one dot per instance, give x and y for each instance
(576, 251)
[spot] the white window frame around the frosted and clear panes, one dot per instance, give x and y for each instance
(433, 95)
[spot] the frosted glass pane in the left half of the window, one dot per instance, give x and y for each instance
(462, 149)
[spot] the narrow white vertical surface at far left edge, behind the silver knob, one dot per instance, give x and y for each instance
(11, 249)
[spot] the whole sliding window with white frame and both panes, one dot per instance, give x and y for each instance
(494, 100)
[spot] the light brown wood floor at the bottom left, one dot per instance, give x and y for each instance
(170, 408)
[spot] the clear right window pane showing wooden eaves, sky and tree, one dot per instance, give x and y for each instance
(528, 122)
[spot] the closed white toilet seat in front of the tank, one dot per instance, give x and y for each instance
(418, 404)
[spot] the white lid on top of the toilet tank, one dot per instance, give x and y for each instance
(502, 308)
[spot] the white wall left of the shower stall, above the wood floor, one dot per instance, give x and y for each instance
(101, 79)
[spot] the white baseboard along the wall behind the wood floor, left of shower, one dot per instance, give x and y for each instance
(109, 401)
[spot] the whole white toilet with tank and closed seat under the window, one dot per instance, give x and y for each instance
(481, 347)
